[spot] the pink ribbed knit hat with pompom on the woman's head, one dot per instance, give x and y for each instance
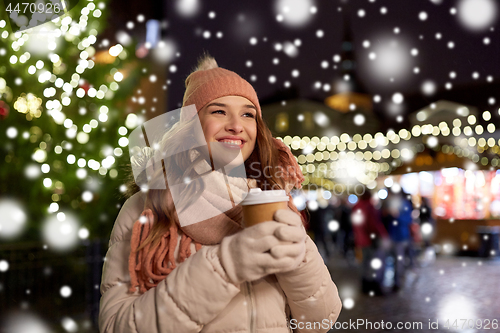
(209, 82)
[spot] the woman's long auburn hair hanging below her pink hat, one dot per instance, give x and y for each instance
(263, 165)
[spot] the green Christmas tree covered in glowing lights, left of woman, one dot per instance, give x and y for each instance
(63, 125)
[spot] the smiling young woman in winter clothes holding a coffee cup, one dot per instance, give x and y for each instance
(179, 259)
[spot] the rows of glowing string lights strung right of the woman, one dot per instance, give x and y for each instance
(336, 148)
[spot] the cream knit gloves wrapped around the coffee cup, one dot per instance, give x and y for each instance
(263, 249)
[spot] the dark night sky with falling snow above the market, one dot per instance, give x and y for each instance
(414, 47)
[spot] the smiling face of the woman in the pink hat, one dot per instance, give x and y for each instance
(231, 121)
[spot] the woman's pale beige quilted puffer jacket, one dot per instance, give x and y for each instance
(198, 297)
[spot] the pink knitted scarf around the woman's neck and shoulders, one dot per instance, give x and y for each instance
(151, 264)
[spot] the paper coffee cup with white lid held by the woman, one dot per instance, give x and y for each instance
(259, 206)
